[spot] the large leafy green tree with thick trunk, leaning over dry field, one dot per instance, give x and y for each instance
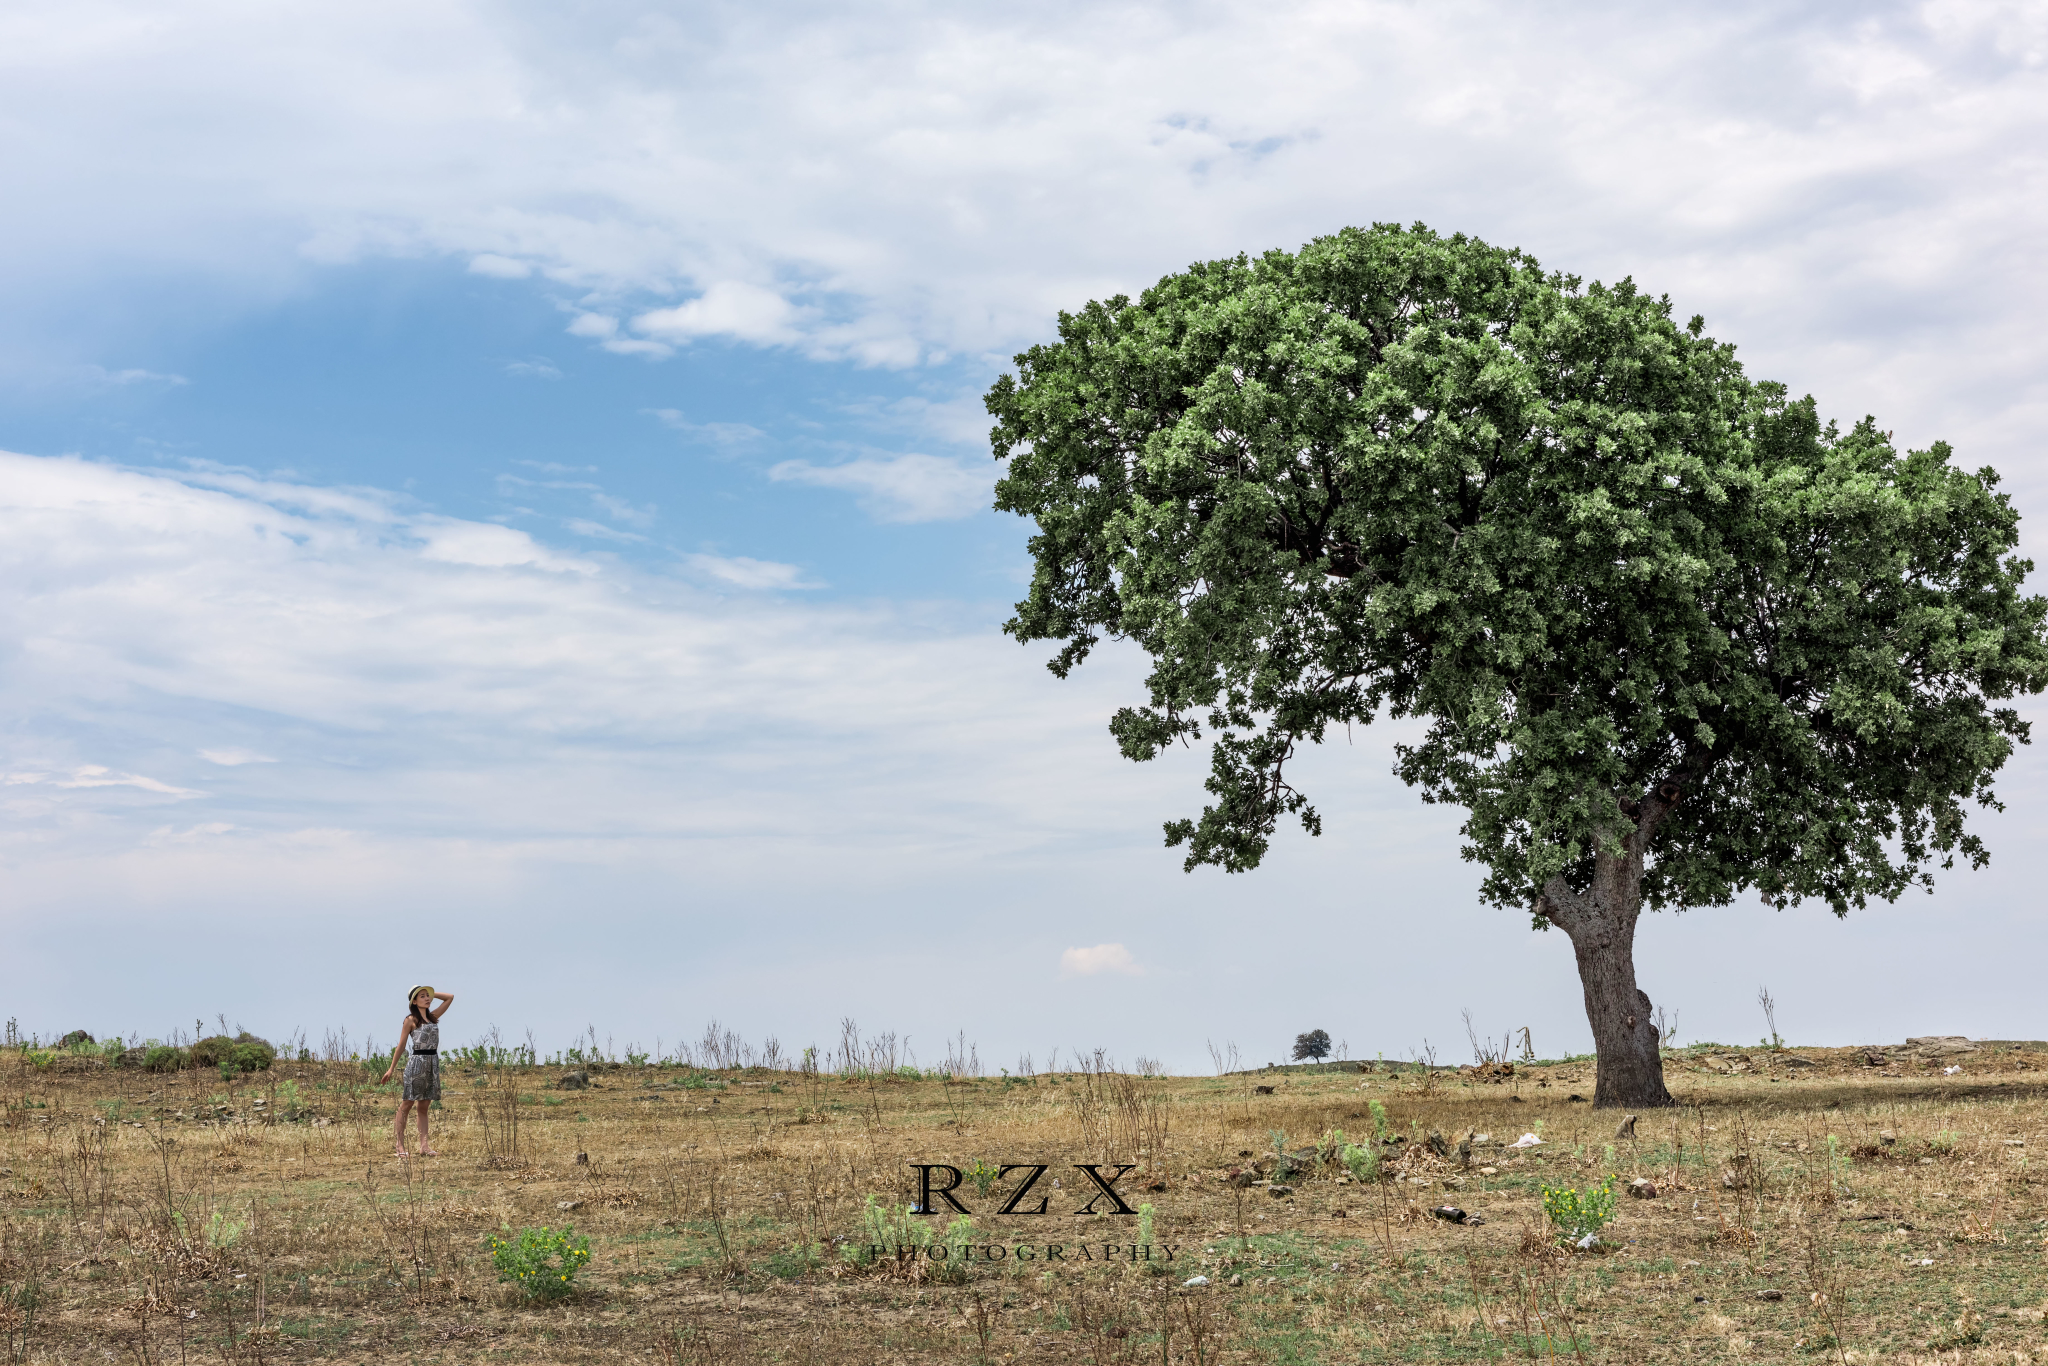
(1670, 636)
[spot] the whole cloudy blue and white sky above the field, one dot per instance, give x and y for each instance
(501, 497)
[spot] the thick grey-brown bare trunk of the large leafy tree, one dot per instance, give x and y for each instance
(1603, 927)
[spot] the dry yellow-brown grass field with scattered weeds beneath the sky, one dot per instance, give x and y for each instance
(1811, 1205)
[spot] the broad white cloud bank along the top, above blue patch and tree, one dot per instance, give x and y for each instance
(1852, 194)
